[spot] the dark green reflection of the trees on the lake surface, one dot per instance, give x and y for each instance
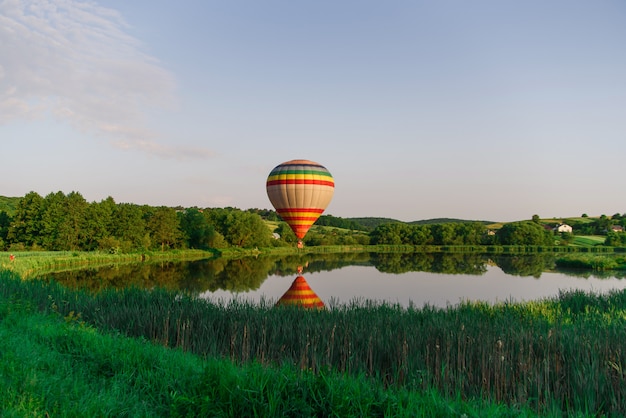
(245, 274)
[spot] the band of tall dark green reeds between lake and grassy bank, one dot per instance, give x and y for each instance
(564, 353)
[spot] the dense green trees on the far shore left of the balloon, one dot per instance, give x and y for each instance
(67, 222)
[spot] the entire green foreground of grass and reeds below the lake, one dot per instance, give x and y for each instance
(555, 357)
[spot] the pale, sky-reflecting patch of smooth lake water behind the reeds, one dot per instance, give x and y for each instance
(436, 289)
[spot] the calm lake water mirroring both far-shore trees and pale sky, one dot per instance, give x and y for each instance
(434, 279)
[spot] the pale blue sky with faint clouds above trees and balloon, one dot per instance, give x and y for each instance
(483, 110)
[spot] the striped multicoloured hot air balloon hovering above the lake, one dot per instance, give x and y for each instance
(300, 191)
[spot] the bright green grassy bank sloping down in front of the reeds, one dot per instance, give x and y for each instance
(58, 365)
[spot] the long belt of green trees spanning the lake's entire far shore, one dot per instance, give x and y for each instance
(61, 221)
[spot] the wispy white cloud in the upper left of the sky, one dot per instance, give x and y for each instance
(76, 61)
